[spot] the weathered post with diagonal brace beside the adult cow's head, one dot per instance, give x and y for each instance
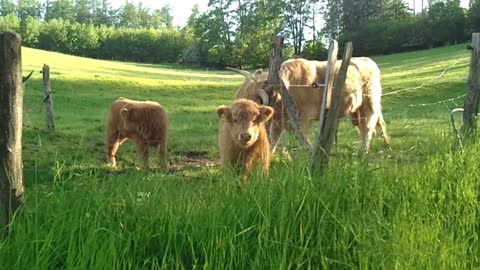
(288, 104)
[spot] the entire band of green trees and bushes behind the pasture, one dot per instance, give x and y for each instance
(235, 33)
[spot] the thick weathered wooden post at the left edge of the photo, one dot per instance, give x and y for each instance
(11, 110)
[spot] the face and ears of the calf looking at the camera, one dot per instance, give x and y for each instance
(245, 119)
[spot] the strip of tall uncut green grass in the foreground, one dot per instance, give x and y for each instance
(420, 216)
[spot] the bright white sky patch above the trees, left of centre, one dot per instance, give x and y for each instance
(180, 9)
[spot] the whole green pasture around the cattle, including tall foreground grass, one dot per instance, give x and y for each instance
(413, 206)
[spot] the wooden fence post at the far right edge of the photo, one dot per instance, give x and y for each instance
(473, 88)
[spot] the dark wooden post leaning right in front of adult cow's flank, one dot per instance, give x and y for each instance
(321, 151)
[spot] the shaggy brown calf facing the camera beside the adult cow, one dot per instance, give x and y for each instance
(242, 139)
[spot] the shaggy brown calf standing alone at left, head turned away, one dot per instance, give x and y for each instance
(144, 122)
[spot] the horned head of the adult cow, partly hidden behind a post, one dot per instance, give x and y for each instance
(253, 86)
